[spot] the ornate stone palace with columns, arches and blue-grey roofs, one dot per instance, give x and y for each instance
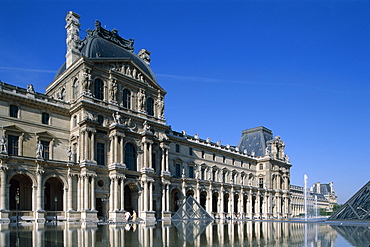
(96, 144)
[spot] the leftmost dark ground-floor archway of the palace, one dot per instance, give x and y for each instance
(20, 185)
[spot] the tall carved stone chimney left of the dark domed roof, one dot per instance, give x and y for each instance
(73, 37)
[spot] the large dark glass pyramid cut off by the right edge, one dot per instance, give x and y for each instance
(356, 208)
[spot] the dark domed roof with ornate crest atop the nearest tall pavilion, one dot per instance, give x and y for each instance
(101, 43)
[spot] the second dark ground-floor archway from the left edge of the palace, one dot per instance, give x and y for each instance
(53, 195)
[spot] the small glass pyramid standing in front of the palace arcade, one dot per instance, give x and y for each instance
(191, 210)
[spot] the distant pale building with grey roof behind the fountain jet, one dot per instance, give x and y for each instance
(324, 193)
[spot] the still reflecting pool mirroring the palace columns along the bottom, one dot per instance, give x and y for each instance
(187, 233)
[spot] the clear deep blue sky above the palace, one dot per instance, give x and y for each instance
(299, 68)
